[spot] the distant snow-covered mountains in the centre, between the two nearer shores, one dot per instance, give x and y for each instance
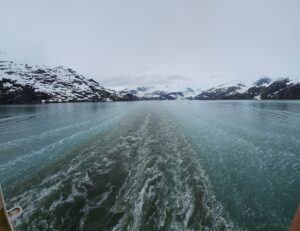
(163, 92)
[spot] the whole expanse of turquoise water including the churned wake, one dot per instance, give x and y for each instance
(176, 165)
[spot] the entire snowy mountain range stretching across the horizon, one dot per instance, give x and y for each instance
(21, 83)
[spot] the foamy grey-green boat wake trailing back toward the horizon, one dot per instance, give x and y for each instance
(140, 175)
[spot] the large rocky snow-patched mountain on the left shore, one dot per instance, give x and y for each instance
(21, 83)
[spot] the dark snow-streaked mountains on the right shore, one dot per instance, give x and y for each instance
(264, 88)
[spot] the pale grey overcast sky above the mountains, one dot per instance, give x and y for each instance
(147, 42)
